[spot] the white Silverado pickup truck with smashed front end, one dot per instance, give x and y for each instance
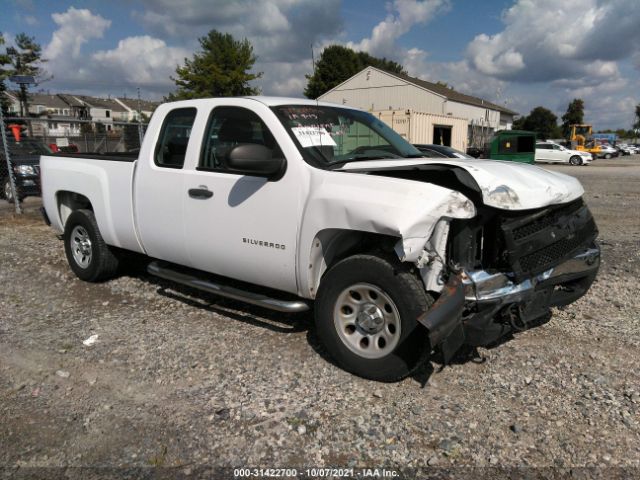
(288, 203)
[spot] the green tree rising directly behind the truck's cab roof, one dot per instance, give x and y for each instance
(221, 69)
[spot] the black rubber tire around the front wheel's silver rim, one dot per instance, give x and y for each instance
(396, 282)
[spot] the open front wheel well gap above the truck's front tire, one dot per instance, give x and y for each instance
(332, 245)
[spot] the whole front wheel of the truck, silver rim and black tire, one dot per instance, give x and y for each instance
(366, 317)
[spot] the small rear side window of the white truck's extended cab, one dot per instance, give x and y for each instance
(174, 137)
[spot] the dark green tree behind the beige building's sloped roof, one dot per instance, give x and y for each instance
(337, 64)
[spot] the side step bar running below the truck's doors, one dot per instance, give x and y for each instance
(290, 306)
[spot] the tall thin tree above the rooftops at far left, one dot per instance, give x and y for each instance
(26, 59)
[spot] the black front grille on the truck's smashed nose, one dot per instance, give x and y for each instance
(536, 242)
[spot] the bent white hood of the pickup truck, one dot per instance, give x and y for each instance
(503, 185)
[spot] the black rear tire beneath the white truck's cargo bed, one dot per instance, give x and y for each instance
(101, 263)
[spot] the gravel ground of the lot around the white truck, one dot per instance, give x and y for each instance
(181, 379)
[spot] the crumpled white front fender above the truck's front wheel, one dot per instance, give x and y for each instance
(400, 208)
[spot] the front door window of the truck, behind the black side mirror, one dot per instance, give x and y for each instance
(229, 127)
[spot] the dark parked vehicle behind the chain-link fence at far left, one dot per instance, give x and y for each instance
(25, 158)
